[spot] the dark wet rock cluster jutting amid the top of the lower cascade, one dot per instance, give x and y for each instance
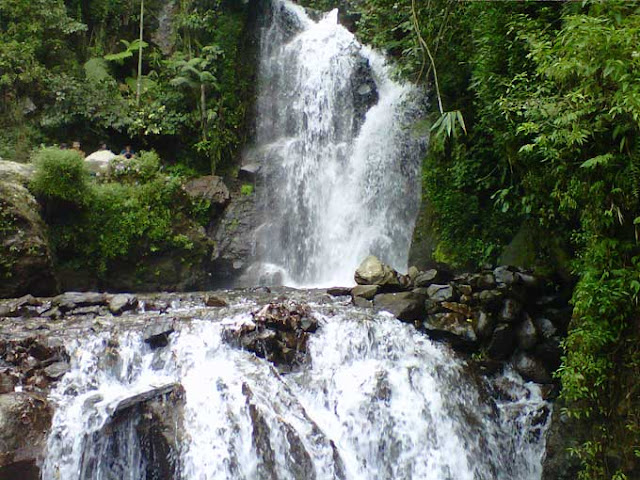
(279, 332)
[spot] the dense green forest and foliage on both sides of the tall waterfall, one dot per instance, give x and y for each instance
(534, 154)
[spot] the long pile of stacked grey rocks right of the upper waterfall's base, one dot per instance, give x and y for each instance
(503, 314)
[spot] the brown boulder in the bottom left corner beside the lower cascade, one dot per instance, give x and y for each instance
(25, 419)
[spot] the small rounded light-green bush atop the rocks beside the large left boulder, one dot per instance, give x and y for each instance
(60, 175)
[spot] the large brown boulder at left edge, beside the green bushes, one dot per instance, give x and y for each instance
(27, 262)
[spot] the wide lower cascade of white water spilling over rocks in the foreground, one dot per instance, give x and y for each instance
(377, 400)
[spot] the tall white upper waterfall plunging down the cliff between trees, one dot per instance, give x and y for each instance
(339, 161)
